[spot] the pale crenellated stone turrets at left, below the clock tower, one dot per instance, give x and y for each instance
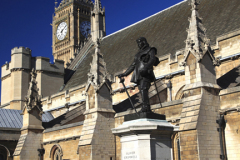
(16, 77)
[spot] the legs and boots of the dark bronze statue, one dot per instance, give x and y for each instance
(143, 89)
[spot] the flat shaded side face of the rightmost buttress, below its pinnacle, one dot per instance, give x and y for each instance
(207, 128)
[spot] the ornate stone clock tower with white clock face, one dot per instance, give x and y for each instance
(71, 25)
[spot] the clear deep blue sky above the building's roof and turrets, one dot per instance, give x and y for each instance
(27, 22)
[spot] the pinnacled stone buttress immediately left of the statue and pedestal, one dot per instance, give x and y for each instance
(97, 140)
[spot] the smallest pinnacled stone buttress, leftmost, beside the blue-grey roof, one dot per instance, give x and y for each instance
(31, 131)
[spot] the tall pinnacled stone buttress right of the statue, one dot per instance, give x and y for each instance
(198, 128)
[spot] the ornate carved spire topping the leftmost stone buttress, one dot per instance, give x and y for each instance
(33, 99)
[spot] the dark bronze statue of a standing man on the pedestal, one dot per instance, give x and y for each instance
(142, 68)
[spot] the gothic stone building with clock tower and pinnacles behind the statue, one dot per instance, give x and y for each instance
(81, 97)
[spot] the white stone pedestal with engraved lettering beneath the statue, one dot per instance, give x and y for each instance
(145, 139)
